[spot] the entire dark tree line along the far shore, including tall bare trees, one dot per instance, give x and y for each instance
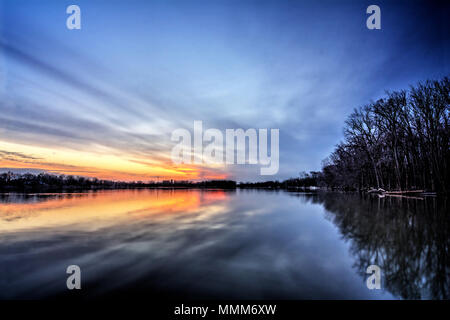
(396, 146)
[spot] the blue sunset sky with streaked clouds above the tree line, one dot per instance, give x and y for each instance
(104, 100)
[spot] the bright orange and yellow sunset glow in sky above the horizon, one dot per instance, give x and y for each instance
(102, 166)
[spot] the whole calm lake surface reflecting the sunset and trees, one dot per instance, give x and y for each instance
(216, 244)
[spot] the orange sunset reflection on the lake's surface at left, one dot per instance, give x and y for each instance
(95, 210)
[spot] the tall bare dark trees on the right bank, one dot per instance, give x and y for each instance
(400, 142)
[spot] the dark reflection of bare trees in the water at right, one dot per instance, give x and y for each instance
(407, 238)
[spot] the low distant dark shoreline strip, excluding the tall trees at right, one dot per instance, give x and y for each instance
(44, 183)
